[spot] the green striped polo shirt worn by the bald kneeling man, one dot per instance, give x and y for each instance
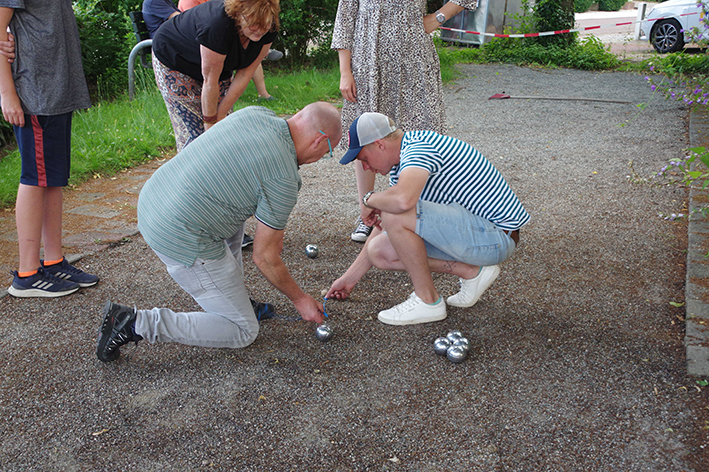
(244, 166)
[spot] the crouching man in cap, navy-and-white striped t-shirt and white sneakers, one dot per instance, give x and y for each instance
(447, 210)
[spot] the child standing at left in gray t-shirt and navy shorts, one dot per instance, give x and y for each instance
(39, 91)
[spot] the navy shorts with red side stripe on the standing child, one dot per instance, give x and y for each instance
(45, 149)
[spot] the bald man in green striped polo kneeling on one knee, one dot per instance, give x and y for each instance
(192, 213)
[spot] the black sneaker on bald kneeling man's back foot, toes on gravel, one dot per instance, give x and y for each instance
(117, 329)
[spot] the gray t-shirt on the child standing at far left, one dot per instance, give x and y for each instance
(47, 71)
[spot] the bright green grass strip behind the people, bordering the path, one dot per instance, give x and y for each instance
(115, 135)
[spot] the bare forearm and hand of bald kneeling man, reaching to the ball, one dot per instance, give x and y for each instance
(268, 244)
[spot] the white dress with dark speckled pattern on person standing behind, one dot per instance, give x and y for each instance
(394, 62)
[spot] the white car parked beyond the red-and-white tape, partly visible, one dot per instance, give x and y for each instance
(667, 25)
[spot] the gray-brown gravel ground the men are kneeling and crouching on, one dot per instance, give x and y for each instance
(577, 355)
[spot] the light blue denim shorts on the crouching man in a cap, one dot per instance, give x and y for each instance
(452, 233)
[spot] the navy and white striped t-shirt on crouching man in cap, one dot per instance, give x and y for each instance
(460, 174)
